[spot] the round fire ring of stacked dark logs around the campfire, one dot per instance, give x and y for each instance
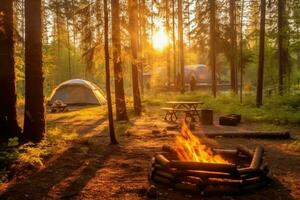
(246, 171)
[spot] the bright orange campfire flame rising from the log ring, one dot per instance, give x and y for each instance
(190, 148)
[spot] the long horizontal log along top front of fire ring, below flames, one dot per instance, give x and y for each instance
(215, 167)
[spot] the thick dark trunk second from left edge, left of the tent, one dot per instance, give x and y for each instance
(34, 119)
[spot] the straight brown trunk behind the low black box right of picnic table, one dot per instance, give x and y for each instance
(233, 80)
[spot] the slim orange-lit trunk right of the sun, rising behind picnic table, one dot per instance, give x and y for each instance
(181, 47)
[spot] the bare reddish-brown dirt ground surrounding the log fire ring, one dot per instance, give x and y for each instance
(93, 169)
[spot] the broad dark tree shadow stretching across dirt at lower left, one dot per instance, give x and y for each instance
(68, 173)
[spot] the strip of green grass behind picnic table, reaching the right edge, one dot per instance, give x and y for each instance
(279, 110)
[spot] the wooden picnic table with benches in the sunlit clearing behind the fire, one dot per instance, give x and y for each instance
(190, 108)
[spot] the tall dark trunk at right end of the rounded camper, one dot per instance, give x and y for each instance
(212, 52)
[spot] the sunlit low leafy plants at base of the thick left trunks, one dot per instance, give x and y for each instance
(31, 156)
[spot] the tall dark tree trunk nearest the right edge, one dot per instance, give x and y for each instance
(282, 44)
